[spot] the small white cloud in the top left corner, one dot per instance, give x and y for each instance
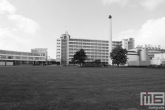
(6, 6)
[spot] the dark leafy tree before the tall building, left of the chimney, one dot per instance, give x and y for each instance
(79, 56)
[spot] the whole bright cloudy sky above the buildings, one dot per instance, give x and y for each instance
(27, 24)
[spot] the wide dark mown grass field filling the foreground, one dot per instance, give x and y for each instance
(76, 88)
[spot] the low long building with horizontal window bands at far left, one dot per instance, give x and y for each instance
(20, 58)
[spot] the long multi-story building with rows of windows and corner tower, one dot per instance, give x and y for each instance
(95, 49)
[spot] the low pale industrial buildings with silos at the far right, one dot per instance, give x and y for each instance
(145, 56)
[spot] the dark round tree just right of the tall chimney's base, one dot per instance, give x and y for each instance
(118, 55)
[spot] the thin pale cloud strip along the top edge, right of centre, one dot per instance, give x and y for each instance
(147, 4)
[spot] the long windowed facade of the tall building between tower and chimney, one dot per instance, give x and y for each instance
(95, 49)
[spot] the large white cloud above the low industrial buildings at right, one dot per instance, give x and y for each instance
(152, 32)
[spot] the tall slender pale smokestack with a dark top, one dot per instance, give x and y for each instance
(110, 39)
